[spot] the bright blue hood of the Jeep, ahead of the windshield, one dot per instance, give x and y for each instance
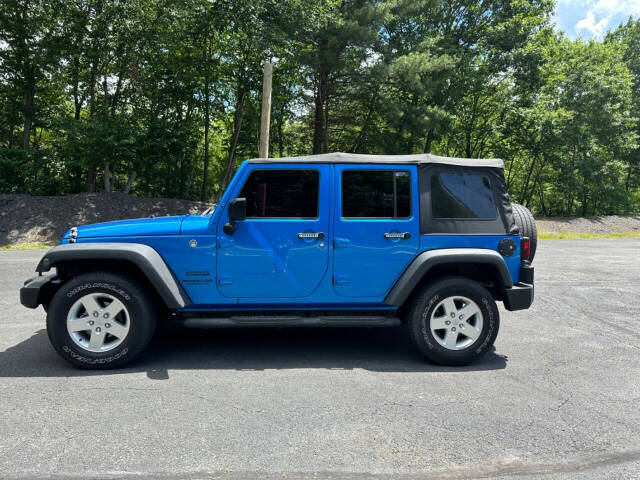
(131, 228)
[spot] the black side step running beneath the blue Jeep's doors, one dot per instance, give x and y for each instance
(291, 321)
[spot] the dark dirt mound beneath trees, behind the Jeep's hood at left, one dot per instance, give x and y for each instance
(27, 219)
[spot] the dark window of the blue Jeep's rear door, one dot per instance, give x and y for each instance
(376, 194)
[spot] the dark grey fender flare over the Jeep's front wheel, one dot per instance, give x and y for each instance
(143, 256)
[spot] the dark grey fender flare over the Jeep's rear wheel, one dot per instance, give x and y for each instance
(424, 262)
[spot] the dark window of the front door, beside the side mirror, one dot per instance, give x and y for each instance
(282, 194)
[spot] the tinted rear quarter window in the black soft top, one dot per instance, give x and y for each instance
(462, 195)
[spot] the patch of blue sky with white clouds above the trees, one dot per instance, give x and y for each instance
(593, 18)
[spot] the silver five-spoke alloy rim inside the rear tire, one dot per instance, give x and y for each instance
(456, 322)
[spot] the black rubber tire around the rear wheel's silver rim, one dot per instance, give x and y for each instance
(419, 313)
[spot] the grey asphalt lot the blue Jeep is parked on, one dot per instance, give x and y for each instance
(559, 396)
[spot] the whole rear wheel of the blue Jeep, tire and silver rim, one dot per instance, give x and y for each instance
(453, 321)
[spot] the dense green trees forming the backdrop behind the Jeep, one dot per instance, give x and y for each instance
(163, 97)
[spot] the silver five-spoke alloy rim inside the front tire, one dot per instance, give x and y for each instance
(98, 322)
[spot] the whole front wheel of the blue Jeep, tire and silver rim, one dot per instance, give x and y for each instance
(100, 320)
